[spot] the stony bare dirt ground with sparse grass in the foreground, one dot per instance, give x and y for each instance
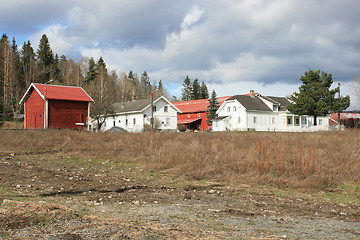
(55, 194)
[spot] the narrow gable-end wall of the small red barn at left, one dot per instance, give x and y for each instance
(34, 111)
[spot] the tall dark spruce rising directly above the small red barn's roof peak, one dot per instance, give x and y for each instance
(45, 60)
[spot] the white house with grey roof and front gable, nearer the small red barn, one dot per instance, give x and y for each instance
(135, 115)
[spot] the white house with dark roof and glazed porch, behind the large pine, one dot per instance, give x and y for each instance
(263, 113)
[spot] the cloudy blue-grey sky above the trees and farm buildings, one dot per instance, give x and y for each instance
(234, 46)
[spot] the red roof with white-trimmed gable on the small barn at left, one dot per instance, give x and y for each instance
(61, 92)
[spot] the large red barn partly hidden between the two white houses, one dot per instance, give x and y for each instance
(193, 113)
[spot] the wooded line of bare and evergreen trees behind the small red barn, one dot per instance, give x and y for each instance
(21, 67)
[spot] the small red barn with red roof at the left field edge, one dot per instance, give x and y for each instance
(50, 106)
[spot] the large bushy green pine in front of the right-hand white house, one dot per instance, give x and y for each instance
(315, 98)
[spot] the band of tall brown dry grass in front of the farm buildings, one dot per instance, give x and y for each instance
(282, 159)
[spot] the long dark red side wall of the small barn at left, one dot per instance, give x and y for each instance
(67, 114)
